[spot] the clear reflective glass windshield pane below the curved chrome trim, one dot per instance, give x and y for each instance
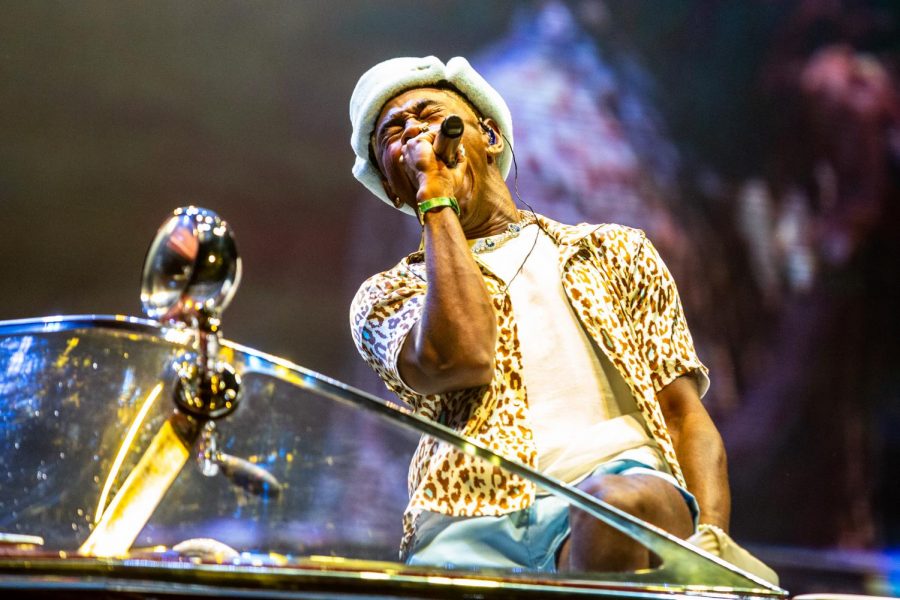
(305, 469)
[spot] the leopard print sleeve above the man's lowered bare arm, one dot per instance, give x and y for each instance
(659, 322)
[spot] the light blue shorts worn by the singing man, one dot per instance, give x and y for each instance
(525, 540)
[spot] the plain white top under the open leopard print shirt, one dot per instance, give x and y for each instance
(582, 411)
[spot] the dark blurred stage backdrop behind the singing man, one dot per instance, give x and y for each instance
(758, 144)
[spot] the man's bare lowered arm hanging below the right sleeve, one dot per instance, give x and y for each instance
(699, 448)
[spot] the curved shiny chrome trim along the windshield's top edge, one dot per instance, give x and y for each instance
(689, 568)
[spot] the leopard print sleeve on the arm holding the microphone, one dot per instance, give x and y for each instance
(382, 314)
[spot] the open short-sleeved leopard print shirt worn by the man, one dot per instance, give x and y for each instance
(627, 302)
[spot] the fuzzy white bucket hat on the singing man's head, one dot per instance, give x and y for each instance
(392, 77)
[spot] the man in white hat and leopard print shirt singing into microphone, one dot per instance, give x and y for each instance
(563, 347)
